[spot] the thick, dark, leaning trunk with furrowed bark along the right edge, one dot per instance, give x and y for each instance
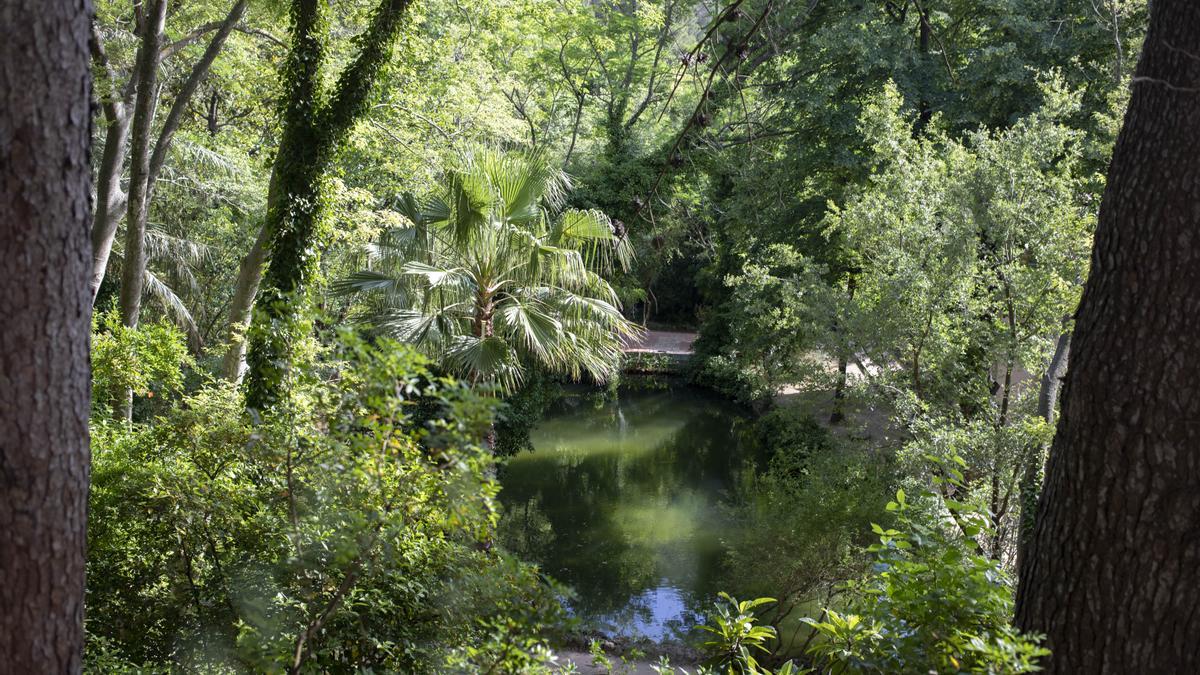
(1113, 578)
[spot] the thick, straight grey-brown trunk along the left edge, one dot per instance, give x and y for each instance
(45, 253)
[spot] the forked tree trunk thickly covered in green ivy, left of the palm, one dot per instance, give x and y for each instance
(315, 127)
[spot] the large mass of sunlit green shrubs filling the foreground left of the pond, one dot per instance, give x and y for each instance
(347, 534)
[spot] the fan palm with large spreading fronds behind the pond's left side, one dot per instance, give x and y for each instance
(490, 276)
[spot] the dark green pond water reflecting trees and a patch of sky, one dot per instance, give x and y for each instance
(623, 501)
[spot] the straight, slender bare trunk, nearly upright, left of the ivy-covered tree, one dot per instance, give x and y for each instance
(133, 278)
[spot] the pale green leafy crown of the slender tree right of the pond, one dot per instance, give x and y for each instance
(971, 252)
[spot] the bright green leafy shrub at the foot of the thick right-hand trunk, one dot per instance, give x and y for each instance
(933, 602)
